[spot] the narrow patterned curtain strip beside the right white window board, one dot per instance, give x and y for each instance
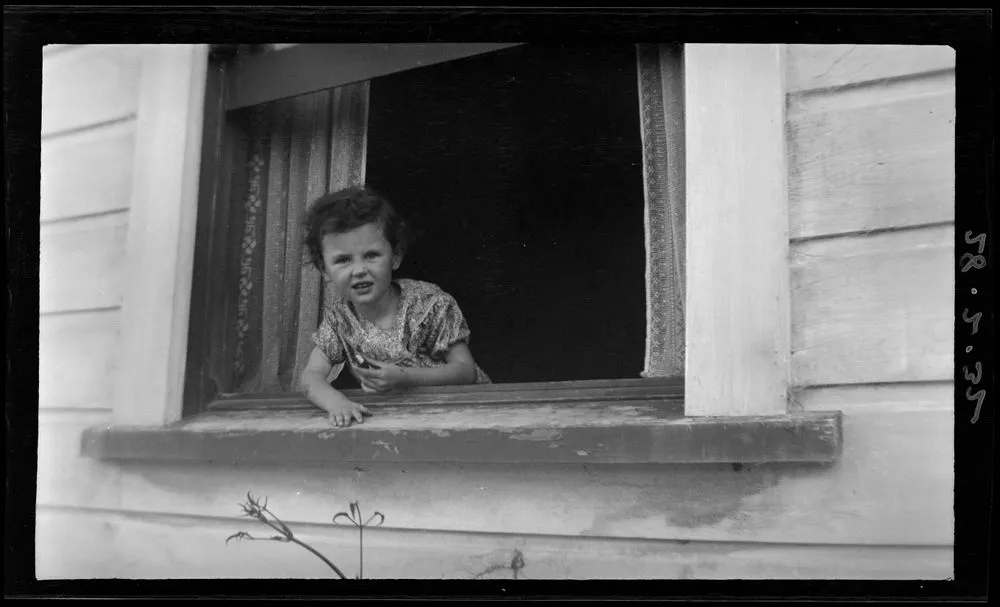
(661, 100)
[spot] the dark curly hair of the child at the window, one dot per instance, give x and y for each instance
(346, 210)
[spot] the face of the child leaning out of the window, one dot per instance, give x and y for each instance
(359, 264)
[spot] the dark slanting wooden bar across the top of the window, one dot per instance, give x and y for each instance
(307, 68)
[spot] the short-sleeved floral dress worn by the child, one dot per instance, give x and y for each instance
(428, 323)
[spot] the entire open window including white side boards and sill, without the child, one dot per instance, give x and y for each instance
(284, 125)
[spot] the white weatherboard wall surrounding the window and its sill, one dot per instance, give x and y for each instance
(871, 336)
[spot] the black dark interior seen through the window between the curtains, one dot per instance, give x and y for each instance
(522, 172)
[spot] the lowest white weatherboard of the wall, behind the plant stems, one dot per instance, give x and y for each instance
(158, 547)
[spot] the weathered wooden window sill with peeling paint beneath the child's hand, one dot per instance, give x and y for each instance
(622, 425)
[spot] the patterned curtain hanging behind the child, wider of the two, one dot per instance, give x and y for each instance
(293, 150)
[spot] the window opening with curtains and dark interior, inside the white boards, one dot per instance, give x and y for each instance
(546, 184)
